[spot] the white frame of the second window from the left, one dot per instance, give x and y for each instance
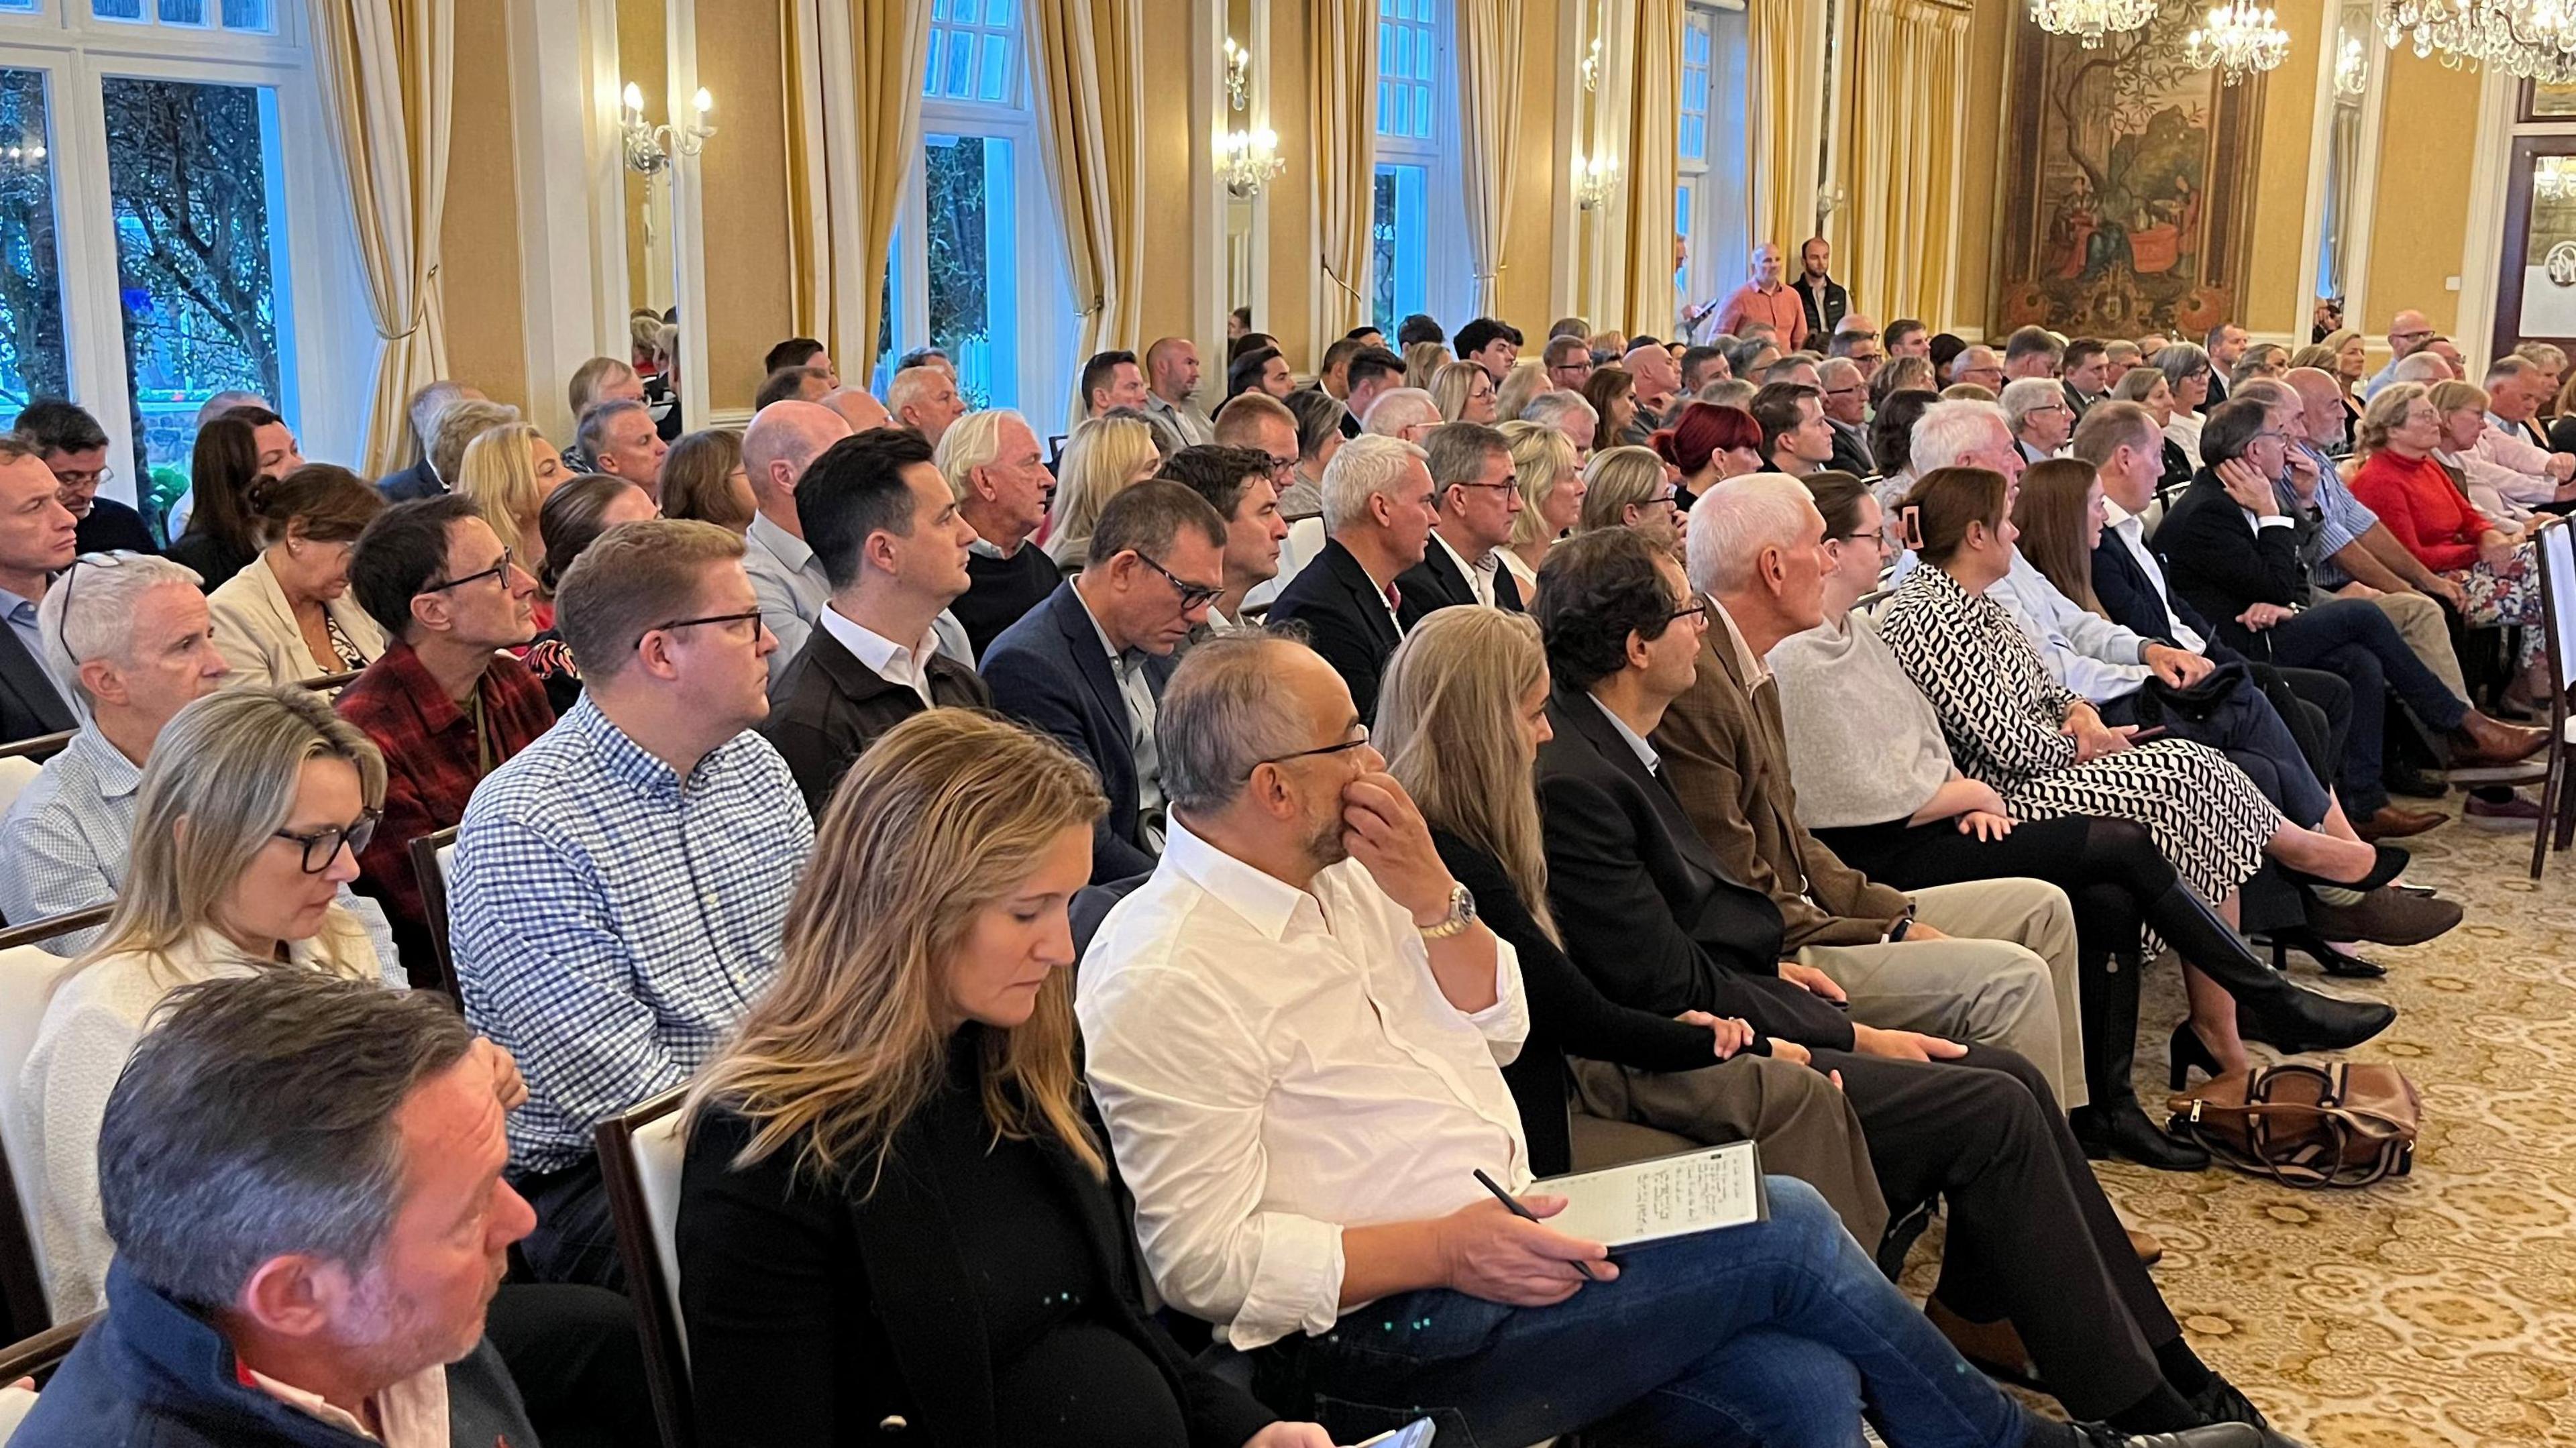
(1037, 349)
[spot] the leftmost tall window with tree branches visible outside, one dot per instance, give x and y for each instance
(161, 161)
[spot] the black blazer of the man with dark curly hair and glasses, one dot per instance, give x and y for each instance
(1642, 900)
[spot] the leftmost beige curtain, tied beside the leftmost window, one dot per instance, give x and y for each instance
(388, 73)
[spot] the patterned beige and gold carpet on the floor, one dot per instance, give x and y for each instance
(2425, 1310)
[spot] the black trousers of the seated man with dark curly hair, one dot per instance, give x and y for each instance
(2031, 1235)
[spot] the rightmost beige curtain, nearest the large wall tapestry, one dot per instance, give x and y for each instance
(1910, 71)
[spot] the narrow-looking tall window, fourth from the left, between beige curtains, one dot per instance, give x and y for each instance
(1714, 158)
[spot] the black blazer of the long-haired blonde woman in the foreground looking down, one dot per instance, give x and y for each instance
(818, 1318)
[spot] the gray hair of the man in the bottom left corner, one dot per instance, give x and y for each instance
(259, 1122)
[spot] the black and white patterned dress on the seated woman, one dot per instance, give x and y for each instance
(2003, 712)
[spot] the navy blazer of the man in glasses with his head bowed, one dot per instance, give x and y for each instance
(1052, 674)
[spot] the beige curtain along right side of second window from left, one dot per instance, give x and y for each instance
(1088, 84)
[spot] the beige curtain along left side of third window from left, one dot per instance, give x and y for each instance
(1343, 120)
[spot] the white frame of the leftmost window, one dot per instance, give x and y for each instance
(326, 331)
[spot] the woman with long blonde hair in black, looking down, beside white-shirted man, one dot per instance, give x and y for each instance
(895, 1205)
